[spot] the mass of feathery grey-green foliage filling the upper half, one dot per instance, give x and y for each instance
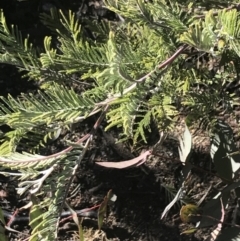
(115, 66)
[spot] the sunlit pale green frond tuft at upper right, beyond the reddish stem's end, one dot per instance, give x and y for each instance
(215, 31)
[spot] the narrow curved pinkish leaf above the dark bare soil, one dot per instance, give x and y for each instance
(126, 164)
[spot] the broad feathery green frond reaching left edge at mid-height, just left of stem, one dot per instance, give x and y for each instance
(57, 104)
